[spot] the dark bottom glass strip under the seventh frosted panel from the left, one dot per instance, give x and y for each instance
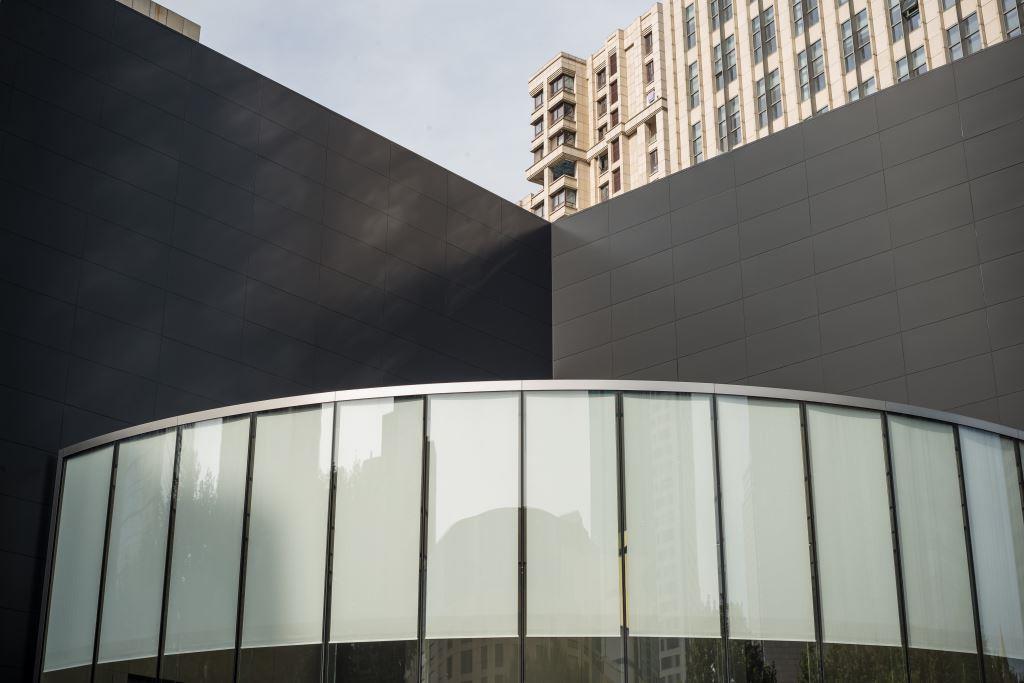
(575, 660)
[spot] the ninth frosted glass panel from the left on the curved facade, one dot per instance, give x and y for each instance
(769, 569)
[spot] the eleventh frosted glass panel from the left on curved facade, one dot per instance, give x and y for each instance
(931, 531)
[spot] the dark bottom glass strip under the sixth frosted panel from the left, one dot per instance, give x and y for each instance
(473, 661)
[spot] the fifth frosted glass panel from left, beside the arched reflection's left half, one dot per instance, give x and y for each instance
(377, 521)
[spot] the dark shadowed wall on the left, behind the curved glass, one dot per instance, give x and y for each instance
(179, 233)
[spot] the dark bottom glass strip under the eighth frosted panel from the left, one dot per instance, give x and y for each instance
(679, 660)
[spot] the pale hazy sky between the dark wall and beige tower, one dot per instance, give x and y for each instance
(445, 78)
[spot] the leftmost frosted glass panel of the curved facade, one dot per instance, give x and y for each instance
(78, 560)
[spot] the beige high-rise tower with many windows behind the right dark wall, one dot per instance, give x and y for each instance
(692, 79)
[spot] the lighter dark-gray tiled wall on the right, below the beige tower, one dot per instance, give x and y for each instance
(877, 250)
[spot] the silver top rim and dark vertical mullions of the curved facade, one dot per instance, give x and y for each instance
(422, 392)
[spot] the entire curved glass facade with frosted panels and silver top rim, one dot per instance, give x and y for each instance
(556, 532)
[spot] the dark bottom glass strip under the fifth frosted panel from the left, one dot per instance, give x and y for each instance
(394, 662)
